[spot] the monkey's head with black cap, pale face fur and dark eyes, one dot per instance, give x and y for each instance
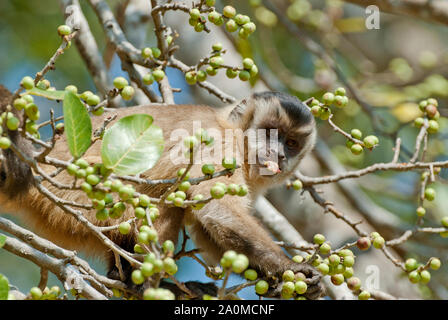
(279, 129)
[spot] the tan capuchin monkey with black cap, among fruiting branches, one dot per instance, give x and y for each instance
(221, 225)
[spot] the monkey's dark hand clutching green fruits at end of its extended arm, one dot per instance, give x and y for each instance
(310, 276)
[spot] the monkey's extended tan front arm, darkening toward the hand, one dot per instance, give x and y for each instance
(228, 225)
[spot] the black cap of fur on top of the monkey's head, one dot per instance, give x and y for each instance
(295, 108)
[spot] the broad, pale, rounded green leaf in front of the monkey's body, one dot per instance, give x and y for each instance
(132, 145)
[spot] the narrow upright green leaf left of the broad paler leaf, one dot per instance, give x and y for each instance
(78, 126)
